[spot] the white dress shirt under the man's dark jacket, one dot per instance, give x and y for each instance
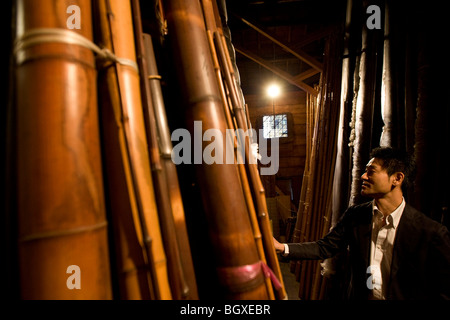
(382, 244)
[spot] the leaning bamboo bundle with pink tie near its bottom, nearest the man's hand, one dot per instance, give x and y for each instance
(237, 217)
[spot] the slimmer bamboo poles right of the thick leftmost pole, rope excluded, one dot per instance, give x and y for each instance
(153, 254)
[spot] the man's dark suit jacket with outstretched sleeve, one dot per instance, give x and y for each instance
(420, 260)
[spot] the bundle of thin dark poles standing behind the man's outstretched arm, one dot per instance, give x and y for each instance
(314, 214)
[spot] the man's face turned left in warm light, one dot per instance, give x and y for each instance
(376, 181)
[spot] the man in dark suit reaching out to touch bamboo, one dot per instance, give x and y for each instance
(395, 252)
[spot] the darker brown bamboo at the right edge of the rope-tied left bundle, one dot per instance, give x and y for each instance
(181, 271)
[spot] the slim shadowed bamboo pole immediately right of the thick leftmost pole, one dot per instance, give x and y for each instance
(132, 270)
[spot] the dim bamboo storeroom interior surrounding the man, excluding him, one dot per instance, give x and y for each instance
(119, 117)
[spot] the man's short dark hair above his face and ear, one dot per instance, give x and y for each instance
(396, 160)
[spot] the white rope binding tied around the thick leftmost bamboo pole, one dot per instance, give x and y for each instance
(47, 35)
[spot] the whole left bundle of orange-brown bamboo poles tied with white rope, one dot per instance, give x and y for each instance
(76, 177)
